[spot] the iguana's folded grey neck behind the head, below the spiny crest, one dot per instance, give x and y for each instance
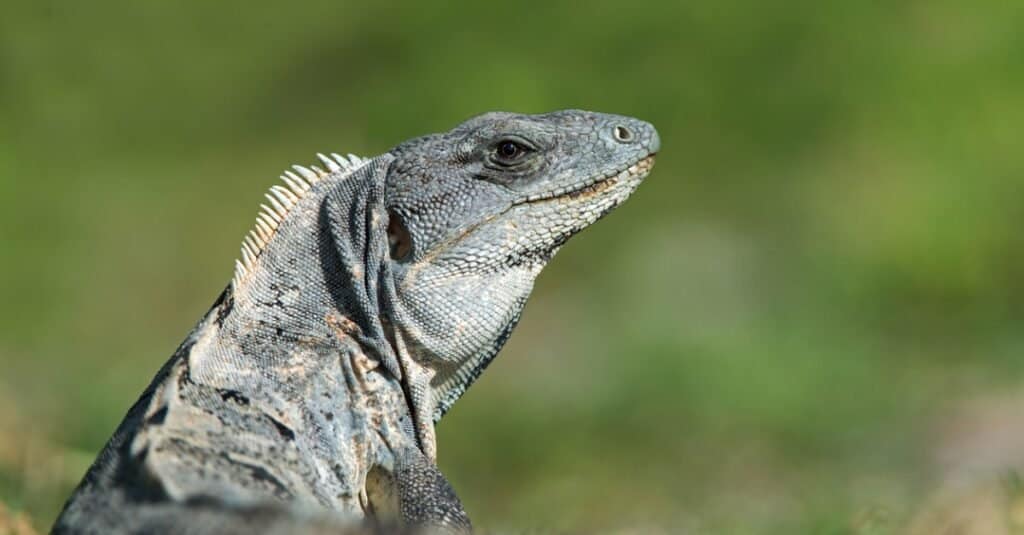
(316, 278)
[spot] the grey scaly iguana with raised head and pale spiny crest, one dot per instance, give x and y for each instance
(369, 297)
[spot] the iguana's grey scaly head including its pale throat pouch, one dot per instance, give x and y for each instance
(477, 213)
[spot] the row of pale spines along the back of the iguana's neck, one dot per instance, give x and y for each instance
(282, 200)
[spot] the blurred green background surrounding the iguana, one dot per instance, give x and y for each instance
(808, 319)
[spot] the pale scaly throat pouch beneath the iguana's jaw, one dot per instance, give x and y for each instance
(453, 310)
